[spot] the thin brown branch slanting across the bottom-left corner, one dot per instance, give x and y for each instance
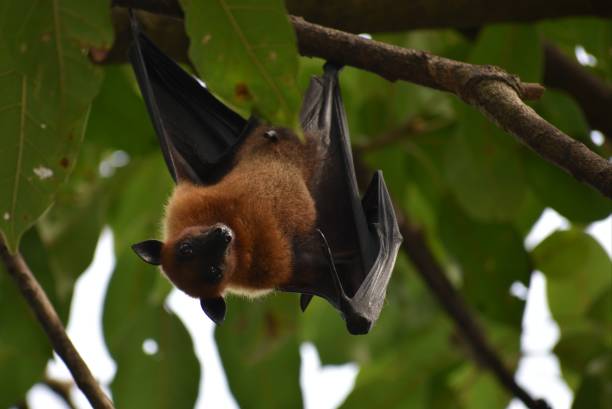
(51, 323)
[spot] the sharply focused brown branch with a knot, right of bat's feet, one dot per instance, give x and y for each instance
(493, 91)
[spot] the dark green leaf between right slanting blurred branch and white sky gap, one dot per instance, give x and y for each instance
(492, 257)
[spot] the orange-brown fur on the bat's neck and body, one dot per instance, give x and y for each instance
(264, 199)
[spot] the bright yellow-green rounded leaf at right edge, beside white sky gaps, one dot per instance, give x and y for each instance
(577, 270)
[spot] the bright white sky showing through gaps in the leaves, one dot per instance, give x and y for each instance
(323, 387)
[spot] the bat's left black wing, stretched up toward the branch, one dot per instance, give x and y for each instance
(197, 133)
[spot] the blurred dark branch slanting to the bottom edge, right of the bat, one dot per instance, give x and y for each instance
(415, 246)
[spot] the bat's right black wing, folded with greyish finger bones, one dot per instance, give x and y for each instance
(360, 237)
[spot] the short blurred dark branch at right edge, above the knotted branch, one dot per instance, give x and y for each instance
(592, 94)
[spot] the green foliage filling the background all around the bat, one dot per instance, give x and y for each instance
(475, 190)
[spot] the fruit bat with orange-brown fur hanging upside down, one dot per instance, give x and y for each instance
(258, 209)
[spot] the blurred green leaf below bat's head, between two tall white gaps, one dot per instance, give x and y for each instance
(167, 378)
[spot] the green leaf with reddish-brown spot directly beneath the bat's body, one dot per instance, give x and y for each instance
(259, 349)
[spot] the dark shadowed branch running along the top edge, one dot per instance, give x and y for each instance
(358, 16)
